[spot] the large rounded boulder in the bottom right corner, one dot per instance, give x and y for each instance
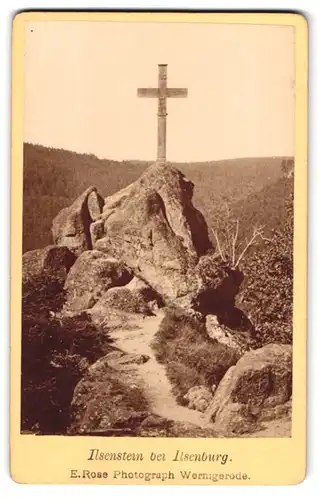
(253, 390)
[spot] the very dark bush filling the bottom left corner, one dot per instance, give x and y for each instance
(55, 356)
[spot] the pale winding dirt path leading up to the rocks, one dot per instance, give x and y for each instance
(151, 375)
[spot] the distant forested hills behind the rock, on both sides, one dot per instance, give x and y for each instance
(53, 178)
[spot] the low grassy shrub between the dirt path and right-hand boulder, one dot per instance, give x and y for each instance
(191, 357)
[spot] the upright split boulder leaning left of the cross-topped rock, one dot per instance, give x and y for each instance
(71, 227)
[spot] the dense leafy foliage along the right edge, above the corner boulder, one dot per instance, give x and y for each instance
(268, 293)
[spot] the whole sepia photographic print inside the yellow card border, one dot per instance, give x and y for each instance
(158, 216)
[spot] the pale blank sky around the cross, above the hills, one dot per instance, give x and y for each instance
(81, 81)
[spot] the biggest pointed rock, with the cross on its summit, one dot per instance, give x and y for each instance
(154, 228)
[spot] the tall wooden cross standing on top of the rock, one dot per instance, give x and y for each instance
(162, 92)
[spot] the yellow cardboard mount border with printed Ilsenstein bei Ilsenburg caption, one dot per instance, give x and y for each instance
(275, 461)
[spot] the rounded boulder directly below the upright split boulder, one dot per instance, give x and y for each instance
(90, 277)
